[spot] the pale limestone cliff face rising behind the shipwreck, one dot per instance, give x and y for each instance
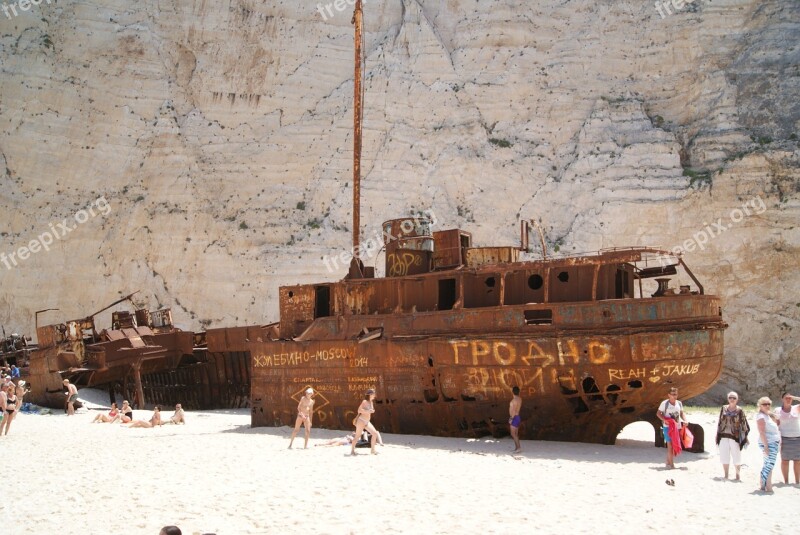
(200, 151)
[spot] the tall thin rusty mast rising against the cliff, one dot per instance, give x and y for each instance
(356, 266)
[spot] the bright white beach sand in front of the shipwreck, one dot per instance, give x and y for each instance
(217, 475)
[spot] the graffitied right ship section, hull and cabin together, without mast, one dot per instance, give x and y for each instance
(588, 357)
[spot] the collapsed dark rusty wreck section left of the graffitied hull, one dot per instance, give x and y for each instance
(142, 358)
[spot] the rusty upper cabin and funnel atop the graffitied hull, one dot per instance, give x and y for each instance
(431, 273)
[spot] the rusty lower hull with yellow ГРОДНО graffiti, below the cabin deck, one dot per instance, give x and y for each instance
(465, 390)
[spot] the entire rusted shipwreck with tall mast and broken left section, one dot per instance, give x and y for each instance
(593, 341)
